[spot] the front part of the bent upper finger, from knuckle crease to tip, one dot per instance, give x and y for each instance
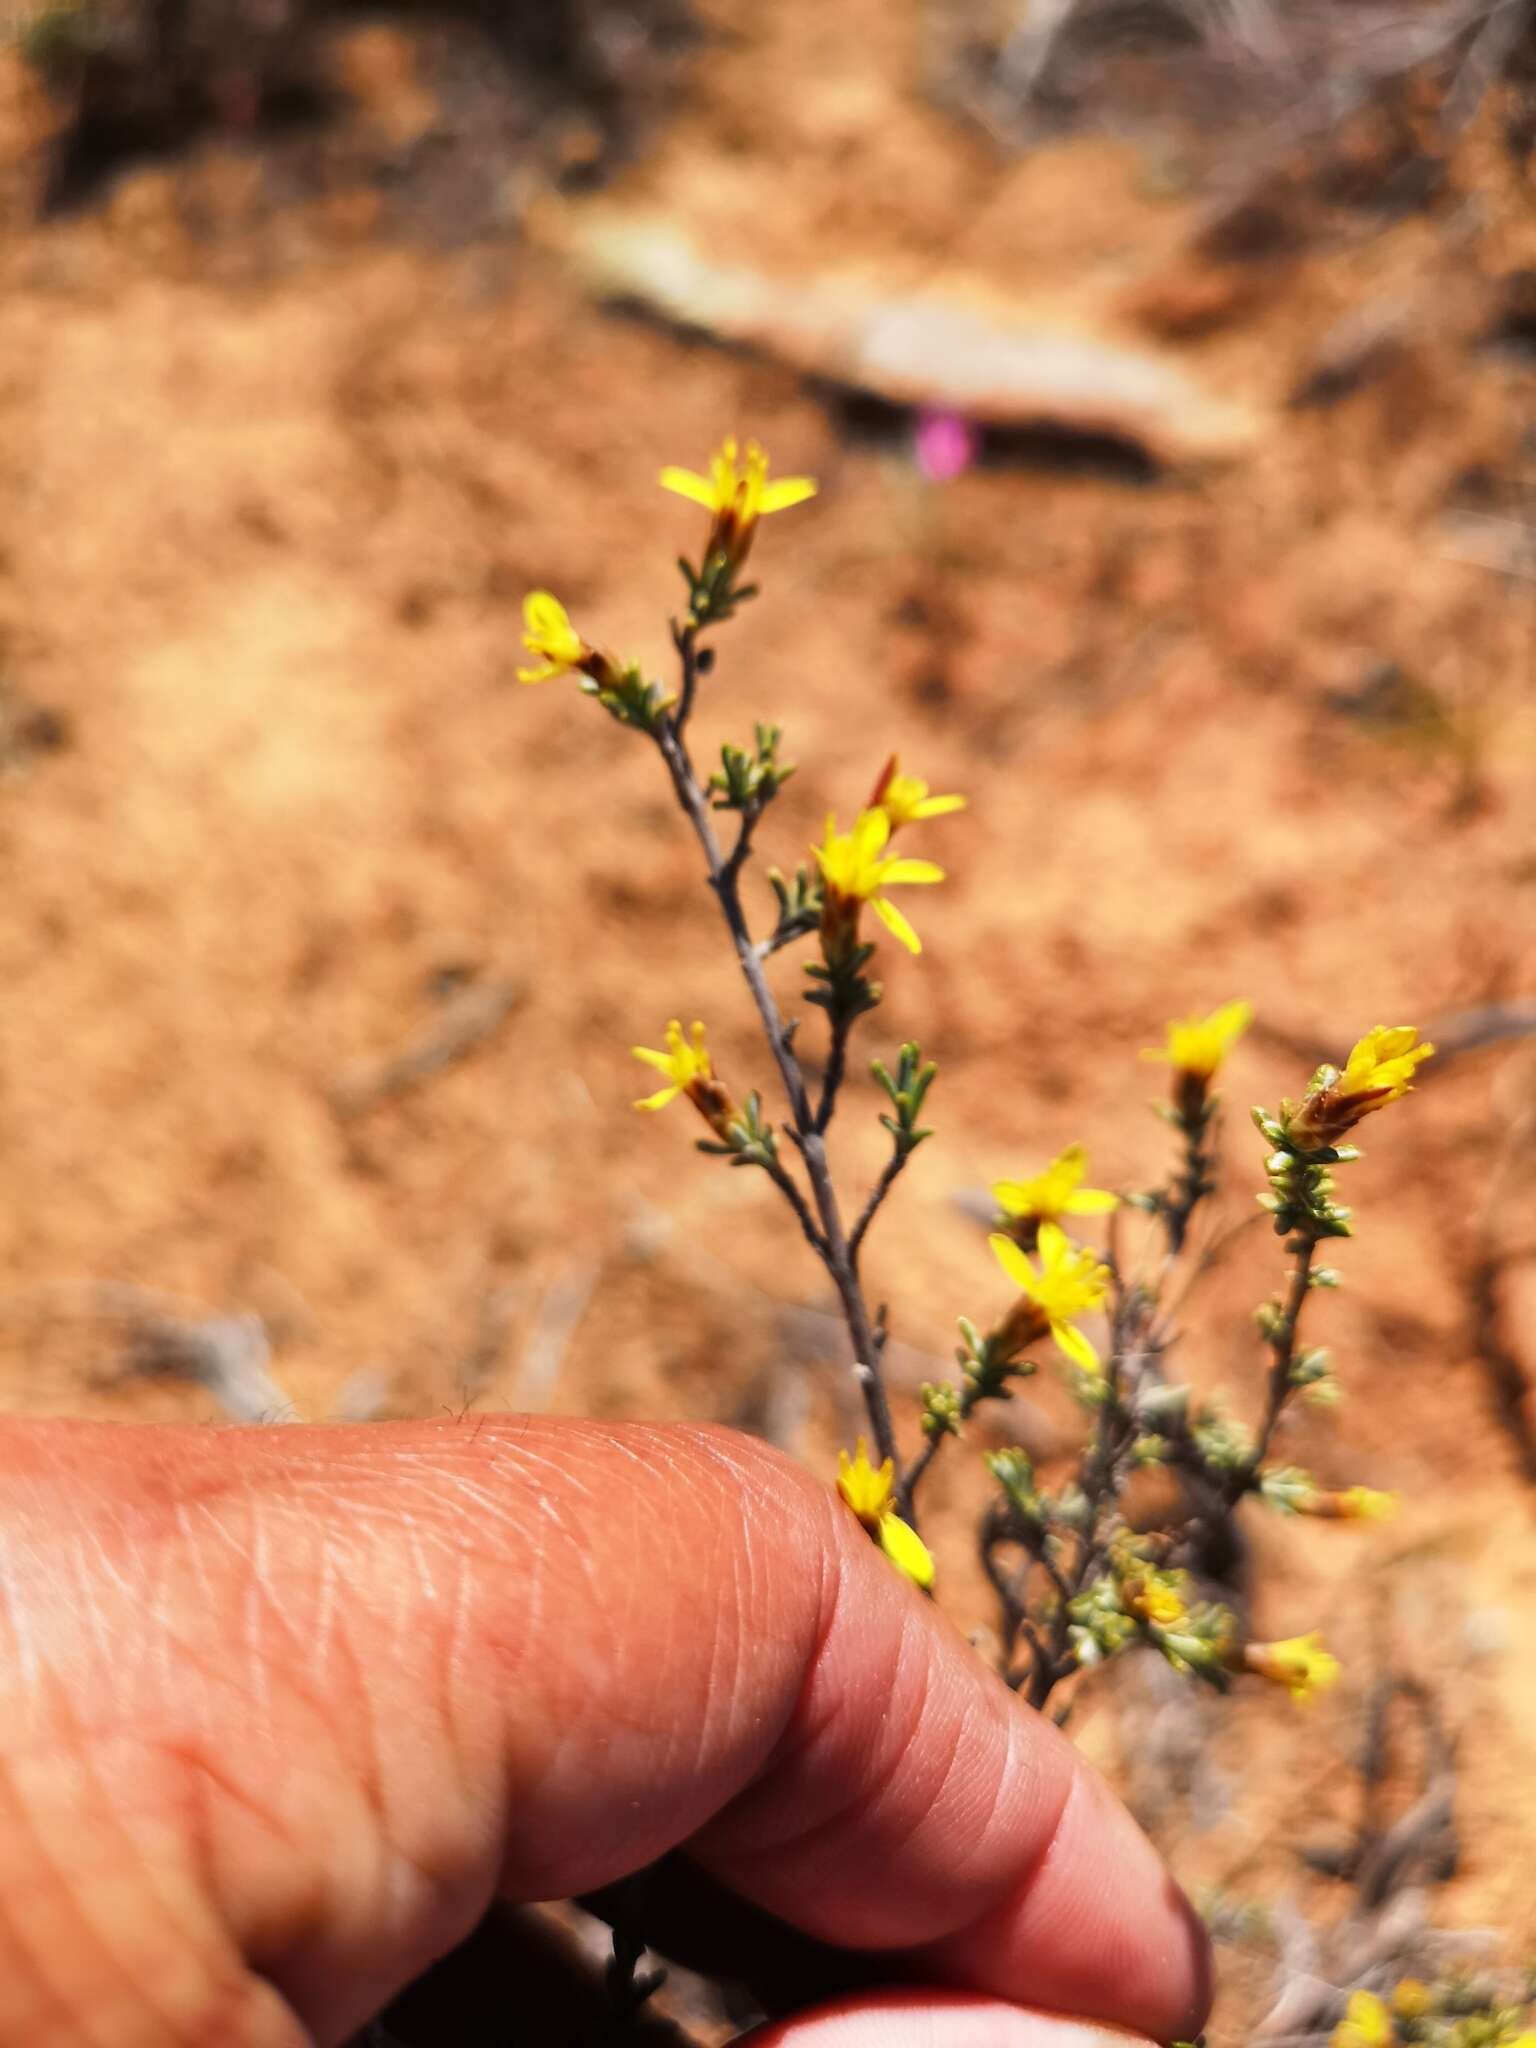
(919, 1805)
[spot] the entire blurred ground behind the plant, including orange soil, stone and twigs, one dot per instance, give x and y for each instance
(329, 331)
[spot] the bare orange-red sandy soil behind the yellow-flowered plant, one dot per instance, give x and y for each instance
(275, 480)
